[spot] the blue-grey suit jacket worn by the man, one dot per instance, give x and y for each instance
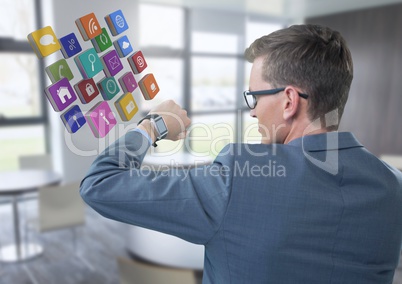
(320, 209)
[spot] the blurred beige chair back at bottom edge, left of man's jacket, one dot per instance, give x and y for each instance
(132, 271)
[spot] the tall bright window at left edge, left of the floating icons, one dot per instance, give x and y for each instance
(22, 114)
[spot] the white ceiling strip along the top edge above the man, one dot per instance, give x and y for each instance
(286, 9)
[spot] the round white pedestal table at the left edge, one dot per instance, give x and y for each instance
(14, 184)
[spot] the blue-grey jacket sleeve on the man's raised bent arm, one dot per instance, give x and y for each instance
(189, 204)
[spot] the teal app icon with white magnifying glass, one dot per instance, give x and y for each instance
(89, 63)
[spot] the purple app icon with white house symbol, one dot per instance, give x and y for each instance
(60, 94)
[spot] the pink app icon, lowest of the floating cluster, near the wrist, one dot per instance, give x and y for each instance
(101, 119)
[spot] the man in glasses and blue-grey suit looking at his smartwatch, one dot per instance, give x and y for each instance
(330, 212)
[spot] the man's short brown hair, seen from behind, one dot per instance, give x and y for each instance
(313, 58)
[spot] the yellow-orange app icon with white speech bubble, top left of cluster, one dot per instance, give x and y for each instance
(44, 42)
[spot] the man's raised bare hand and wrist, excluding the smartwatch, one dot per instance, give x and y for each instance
(175, 118)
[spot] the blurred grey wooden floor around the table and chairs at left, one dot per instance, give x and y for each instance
(100, 242)
